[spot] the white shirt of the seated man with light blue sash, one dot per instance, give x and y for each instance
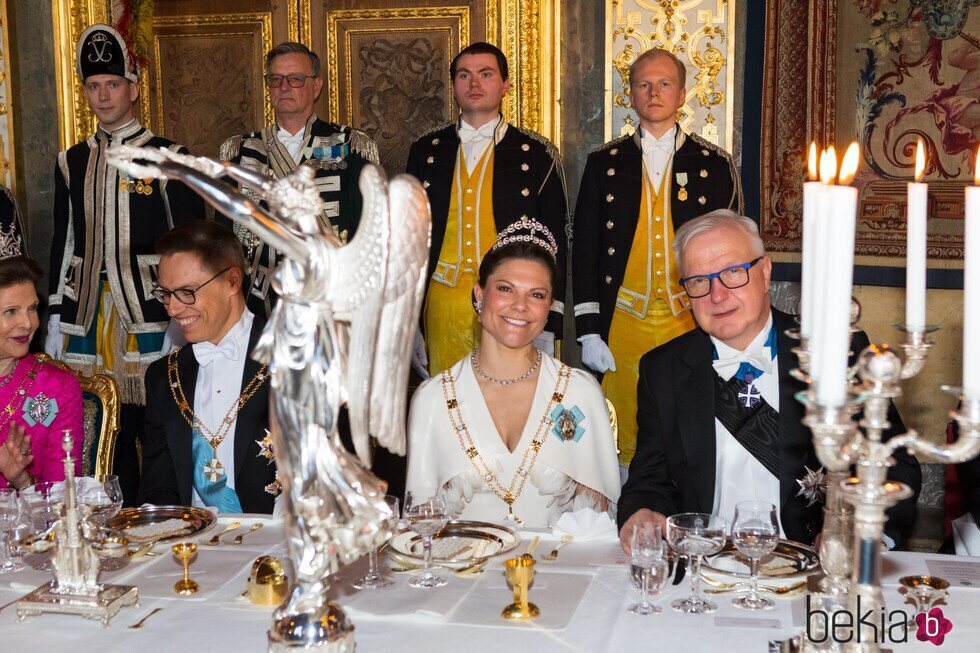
(219, 383)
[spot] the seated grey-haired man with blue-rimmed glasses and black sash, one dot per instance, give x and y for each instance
(718, 420)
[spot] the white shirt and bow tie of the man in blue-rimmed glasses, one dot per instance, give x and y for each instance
(738, 475)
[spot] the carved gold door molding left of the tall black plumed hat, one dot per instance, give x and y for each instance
(70, 18)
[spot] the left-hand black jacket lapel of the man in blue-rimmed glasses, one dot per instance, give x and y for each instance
(696, 417)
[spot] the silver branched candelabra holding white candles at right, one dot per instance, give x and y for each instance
(854, 513)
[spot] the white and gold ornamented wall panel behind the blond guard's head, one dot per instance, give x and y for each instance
(702, 34)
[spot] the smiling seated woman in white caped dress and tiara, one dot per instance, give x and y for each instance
(508, 432)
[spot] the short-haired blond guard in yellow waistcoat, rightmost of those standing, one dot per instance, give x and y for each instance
(635, 191)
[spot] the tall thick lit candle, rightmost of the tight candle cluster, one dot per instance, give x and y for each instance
(836, 312)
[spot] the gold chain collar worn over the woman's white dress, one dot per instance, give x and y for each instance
(512, 492)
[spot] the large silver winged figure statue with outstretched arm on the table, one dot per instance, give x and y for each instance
(339, 334)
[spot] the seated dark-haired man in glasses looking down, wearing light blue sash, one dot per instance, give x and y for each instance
(207, 402)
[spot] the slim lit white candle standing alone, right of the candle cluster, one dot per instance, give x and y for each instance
(915, 246)
